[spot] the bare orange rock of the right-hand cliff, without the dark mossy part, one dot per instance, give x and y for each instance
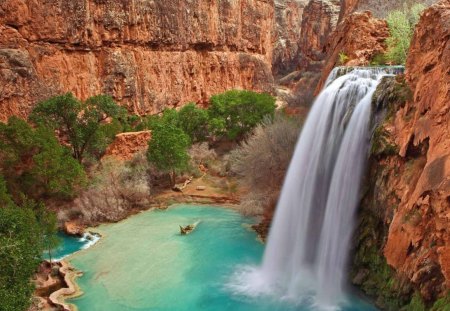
(418, 247)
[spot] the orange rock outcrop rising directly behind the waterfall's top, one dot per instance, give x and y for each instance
(360, 36)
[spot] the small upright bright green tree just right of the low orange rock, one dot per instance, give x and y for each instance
(167, 149)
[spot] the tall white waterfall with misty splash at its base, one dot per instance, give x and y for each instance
(306, 256)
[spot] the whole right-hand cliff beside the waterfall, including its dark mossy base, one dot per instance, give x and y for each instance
(404, 233)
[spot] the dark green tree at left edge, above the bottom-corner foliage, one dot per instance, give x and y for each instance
(35, 164)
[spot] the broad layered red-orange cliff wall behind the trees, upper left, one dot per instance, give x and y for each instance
(147, 54)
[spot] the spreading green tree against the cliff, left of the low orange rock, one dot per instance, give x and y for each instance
(82, 123)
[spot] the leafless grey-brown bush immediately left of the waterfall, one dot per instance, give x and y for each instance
(262, 160)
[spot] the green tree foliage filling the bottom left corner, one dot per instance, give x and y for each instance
(25, 232)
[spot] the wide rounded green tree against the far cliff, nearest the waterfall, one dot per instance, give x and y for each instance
(235, 113)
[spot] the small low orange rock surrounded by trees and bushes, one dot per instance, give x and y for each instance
(126, 145)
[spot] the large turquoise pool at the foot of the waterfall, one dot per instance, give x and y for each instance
(143, 263)
